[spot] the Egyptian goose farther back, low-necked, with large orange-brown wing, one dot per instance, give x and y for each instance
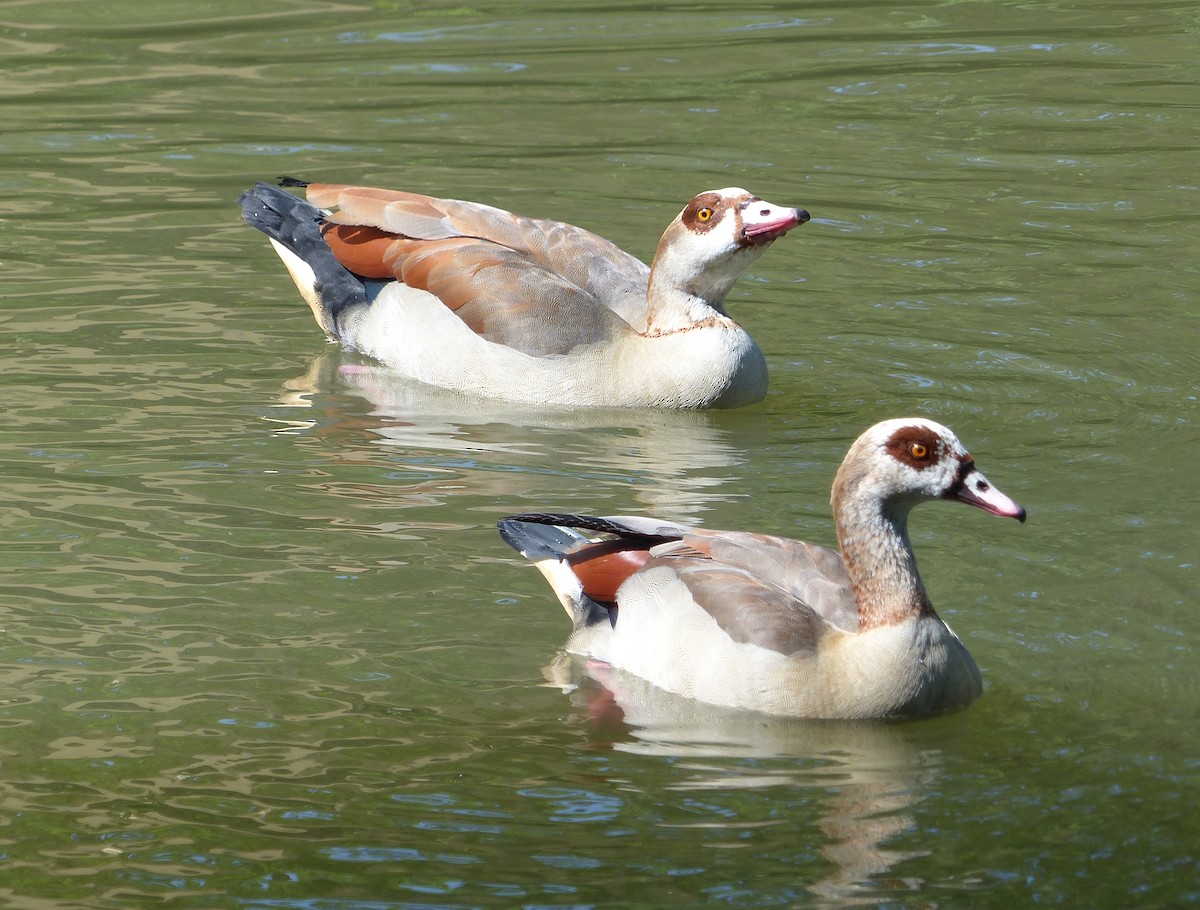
(471, 298)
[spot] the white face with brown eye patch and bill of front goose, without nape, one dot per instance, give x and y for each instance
(919, 459)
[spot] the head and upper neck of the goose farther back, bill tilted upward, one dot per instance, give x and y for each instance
(717, 236)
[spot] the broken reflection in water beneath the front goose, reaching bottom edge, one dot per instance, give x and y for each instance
(866, 777)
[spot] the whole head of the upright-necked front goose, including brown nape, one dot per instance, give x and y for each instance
(901, 463)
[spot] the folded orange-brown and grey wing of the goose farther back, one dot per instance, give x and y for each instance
(543, 288)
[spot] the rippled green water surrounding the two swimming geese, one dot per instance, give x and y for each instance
(262, 646)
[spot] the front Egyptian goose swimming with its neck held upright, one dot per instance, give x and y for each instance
(772, 625)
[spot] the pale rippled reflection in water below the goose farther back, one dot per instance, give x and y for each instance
(674, 462)
